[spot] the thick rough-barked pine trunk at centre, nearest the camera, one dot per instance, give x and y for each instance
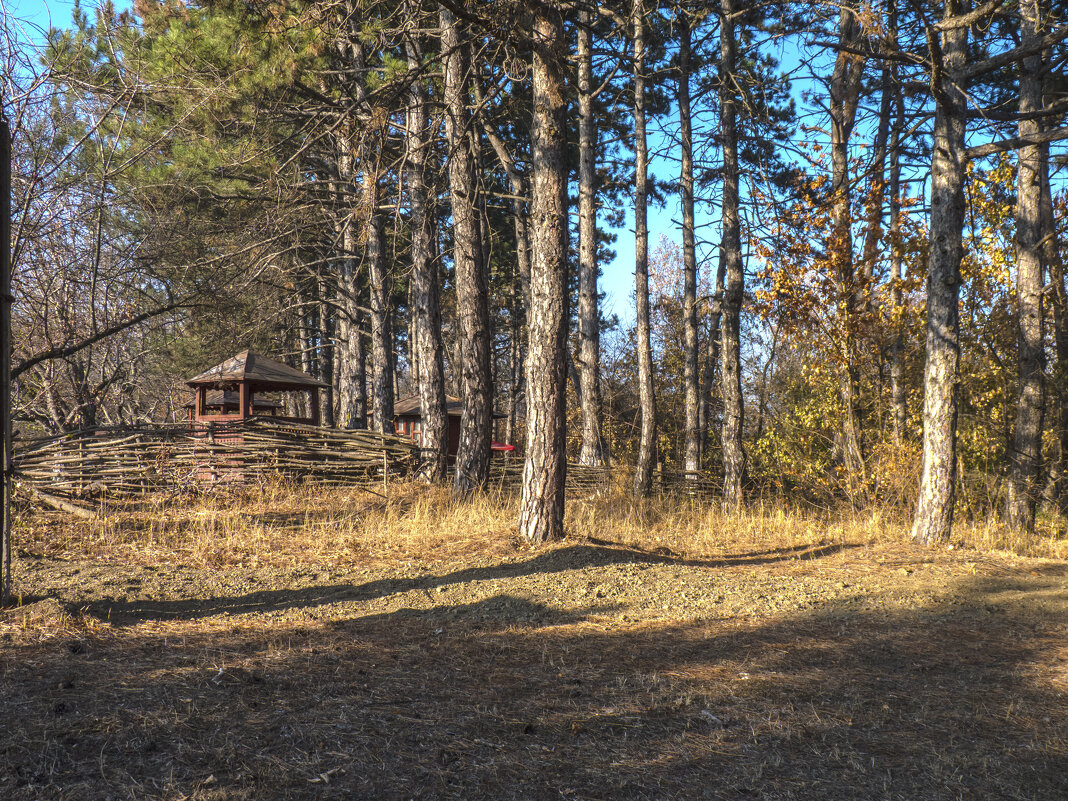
(542, 507)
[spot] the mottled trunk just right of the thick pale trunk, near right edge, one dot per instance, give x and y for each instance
(1027, 456)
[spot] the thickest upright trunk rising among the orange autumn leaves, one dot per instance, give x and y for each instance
(844, 97)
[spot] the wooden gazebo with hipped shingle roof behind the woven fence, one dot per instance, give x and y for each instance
(241, 379)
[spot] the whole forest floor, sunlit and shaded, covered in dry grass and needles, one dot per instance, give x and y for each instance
(827, 667)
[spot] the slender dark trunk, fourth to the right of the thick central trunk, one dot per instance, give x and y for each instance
(734, 411)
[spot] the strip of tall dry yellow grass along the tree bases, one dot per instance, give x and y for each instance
(287, 525)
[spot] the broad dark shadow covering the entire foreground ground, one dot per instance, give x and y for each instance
(515, 700)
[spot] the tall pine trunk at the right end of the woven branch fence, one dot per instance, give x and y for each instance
(426, 306)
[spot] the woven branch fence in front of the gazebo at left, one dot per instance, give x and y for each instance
(151, 460)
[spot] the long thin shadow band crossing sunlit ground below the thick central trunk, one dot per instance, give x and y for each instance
(601, 554)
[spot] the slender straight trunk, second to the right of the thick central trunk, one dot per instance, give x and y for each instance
(647, 448)
